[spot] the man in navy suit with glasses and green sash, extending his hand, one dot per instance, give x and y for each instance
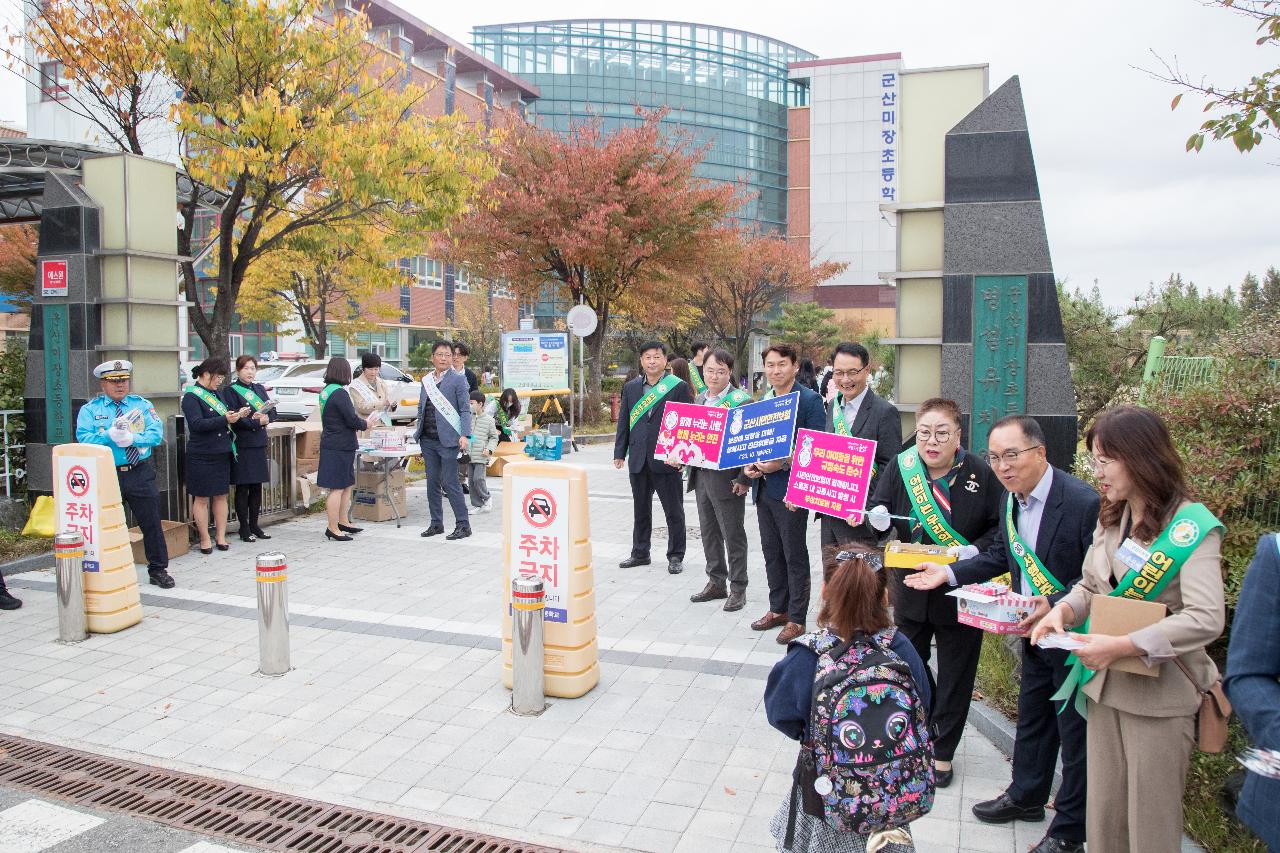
(1054, 517)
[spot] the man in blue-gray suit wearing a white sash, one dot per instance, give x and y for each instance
(444, 431)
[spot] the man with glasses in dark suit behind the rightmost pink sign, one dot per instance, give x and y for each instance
(857, 410)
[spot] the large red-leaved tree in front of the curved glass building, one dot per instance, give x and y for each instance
(612, 218)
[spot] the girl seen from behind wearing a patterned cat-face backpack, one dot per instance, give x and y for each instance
(854, 614)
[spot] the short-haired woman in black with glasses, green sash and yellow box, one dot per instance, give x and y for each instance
(944, 496)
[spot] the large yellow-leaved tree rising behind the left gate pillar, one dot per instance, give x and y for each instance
(287, 120)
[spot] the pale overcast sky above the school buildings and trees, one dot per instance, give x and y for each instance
(1124, 204)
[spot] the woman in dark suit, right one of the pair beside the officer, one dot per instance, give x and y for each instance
(250, 469)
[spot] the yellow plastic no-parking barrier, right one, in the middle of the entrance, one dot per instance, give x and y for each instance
(547, 533)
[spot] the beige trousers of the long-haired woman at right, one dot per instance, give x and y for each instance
(1137, 774)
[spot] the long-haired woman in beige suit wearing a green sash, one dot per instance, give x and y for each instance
(1153, 544)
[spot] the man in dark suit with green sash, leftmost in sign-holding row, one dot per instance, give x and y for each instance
(639, 425)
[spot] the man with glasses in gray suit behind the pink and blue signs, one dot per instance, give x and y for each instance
(721, 507)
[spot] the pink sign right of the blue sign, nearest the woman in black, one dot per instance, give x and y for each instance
(831, 473)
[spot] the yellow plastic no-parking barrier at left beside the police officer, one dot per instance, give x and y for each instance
(88, 501)
